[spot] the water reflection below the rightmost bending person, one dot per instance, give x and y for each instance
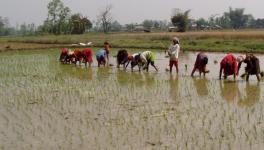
(252, 95)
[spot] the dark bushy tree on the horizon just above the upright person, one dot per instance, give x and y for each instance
(180, 20)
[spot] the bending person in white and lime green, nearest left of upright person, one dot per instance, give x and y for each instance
(147, 58)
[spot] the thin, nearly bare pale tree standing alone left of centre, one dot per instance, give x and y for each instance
(105, 18)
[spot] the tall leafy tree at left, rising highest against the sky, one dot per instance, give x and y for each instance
(58, 18)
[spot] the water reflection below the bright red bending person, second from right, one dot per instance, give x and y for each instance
(229, 90)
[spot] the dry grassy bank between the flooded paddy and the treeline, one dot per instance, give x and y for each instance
(233, 41)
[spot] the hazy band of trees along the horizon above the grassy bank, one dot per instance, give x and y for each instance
(60, 20)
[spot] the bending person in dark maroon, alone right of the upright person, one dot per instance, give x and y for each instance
(200, 64)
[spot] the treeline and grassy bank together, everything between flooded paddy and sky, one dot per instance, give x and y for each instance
(232, 31)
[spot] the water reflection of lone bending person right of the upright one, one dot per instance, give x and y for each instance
(201, 86)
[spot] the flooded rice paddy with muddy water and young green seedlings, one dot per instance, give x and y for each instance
(48, 105)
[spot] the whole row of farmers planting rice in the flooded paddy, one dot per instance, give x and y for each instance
(229, 65)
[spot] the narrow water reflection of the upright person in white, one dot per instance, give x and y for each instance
(174, 87)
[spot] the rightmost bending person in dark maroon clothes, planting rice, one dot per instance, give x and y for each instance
(252, 67)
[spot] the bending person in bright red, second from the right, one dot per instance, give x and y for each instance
(229, 66)
